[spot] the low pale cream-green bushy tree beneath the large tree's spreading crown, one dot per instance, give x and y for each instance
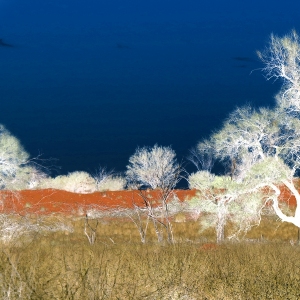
(221, 200)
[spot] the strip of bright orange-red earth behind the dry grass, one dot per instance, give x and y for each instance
(50, 201)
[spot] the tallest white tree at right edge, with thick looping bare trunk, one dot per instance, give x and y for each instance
(282, 60)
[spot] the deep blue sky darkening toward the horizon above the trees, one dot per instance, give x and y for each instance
(88, 81)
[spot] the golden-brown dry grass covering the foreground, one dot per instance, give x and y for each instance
(62, 265)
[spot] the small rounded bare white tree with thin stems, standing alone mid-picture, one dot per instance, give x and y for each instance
(154, 168)
